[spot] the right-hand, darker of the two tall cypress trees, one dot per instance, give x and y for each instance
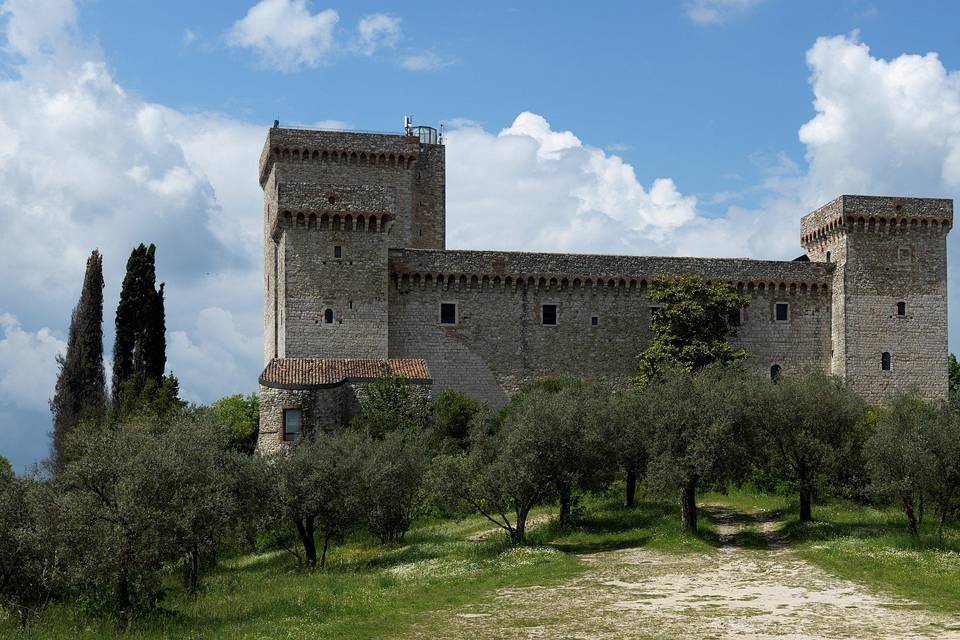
(139, 351)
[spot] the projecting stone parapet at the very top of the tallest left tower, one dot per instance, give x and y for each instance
(398, 151)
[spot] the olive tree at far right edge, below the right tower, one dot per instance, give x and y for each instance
(914, 453)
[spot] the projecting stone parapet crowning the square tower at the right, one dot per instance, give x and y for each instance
(883, 214)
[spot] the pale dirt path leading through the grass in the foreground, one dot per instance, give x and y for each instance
(734, 592)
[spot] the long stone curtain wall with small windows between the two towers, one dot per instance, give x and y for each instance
(499, 341)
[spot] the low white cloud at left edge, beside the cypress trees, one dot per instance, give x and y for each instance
(28, 370)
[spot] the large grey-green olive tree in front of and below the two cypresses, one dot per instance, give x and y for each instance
(143, 494)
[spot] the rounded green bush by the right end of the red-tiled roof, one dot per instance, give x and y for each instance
(391, 403)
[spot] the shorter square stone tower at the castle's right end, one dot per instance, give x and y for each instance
(889, 307)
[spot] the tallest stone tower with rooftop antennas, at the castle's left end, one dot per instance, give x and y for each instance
(334, 204)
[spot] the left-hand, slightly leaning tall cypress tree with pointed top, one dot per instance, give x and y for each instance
(81, 386)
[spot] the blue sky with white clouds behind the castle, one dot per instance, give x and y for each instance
(694, 127)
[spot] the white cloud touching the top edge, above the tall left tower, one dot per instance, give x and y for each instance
(285, 35)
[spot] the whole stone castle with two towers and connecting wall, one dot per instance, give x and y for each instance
(356, 273)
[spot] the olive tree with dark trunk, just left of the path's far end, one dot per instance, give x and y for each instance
(696, 437)
